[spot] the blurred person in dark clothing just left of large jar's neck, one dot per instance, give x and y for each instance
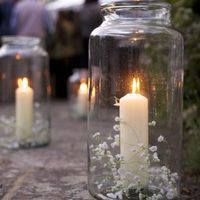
(90, 18)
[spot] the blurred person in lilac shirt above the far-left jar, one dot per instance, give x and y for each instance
(30, 18)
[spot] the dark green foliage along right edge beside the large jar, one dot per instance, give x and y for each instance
(186, 18)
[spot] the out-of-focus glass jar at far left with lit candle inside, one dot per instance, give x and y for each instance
(24, 93)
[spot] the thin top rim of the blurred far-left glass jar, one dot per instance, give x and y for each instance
(21, 40)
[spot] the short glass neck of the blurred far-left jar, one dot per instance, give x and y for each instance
(20, 42)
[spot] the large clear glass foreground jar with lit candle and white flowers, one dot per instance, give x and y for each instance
(135, 116)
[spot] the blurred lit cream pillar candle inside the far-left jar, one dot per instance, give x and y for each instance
(24, 110)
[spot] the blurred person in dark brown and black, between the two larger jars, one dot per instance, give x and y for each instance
(65, 52)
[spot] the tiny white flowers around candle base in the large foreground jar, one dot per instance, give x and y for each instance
(162, 182)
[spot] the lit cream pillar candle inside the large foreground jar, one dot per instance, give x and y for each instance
(134, 133)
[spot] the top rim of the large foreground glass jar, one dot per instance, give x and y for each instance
(117, 4)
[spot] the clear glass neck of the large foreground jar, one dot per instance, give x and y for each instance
(142, 11)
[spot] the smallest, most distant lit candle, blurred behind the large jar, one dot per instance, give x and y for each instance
(82, 99)
